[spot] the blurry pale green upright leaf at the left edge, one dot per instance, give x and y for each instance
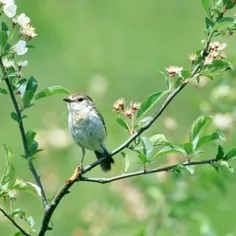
(9, 170)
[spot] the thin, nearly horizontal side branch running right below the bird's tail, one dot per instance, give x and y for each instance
(144, 172)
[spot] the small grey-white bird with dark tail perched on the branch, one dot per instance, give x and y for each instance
(88, 128)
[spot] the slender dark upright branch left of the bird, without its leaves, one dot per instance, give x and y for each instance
(23, 136)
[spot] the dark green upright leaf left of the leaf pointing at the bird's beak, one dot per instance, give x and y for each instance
(30, 90)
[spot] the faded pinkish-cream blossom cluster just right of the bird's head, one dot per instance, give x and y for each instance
(119, 107)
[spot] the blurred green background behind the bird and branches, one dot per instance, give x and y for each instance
(111, 49)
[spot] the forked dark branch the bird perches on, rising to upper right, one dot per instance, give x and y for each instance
(65, 188)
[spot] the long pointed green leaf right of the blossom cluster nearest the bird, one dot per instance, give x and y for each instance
(150, 102)
